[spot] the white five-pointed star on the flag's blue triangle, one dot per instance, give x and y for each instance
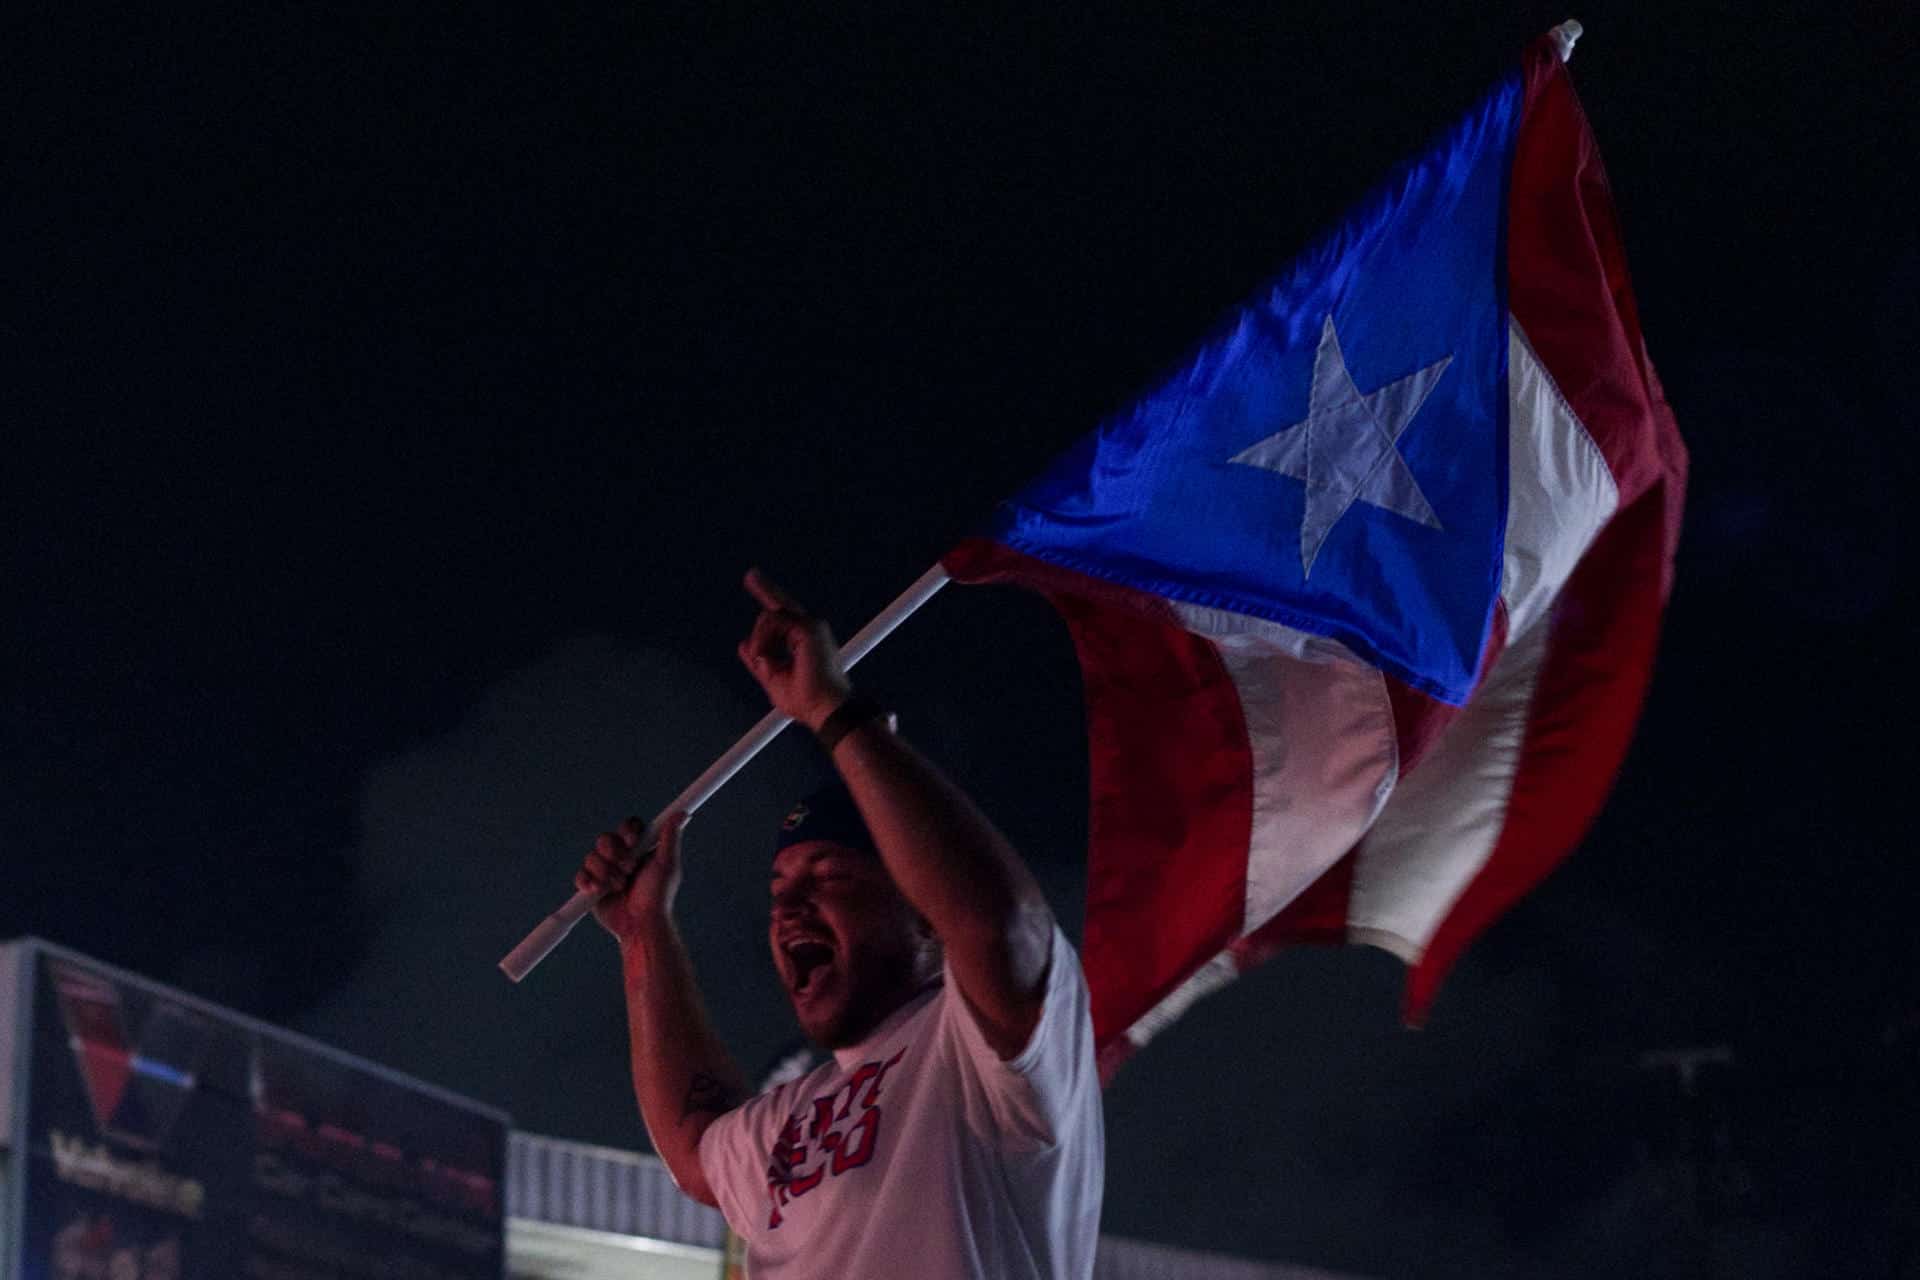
(1347, 448)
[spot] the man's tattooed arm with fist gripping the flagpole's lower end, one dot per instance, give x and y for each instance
(683, 1074)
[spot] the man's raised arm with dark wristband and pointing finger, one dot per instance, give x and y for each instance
(942, 851)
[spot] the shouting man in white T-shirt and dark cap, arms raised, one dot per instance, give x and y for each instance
(957, 1129)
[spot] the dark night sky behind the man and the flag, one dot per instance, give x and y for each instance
(395, 400)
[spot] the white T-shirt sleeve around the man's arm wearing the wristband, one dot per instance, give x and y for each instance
(1034, 1095)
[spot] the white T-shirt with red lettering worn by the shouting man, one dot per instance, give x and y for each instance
(921, 1154)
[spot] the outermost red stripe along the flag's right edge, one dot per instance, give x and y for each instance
(1572, 295)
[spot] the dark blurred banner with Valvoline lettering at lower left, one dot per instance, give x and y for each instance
(160, 1139)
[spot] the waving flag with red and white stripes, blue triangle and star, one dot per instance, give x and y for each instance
(1368, 592)
